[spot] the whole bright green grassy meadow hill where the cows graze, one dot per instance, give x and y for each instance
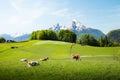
(98, 63)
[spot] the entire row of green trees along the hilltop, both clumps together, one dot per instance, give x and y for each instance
(69, 36)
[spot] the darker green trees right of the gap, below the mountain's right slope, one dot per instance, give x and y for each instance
(87, 39)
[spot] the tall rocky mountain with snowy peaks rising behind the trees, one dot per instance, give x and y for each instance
(79, 29)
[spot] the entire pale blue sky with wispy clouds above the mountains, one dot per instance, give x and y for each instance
(29, 15)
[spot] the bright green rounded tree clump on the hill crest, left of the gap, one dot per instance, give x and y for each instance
(63, 35)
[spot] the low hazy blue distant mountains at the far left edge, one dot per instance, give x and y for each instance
(22, 37)
